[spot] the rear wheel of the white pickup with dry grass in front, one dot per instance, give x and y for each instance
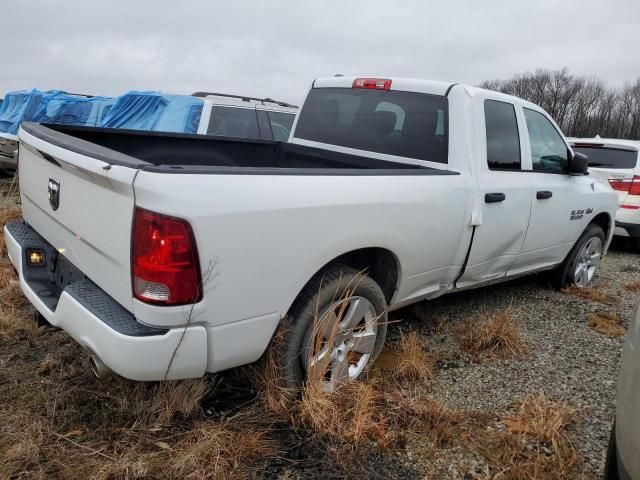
(324, 294)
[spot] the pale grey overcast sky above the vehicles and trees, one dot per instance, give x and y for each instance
(276, 48)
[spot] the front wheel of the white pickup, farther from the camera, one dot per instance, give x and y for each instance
(565, 274)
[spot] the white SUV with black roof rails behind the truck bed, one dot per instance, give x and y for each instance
(245, 117)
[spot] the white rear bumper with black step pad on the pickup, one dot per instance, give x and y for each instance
(69, 300)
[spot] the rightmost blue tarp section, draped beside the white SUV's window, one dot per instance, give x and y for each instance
(156, 112)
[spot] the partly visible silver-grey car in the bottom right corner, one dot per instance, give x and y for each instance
(623, 457)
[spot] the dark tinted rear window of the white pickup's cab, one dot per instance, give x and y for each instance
(406, 124)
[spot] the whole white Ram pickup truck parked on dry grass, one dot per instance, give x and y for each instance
(168, 256)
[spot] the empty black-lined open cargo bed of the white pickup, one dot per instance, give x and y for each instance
(176, 153)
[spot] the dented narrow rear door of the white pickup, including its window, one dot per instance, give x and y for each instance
(504, 193)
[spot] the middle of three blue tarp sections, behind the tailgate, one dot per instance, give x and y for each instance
(68, 109)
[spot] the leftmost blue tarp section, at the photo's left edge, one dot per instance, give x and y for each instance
(23, 106)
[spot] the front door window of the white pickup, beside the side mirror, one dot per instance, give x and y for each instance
(549, 153)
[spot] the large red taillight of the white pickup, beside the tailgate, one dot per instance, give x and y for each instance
(164, 260)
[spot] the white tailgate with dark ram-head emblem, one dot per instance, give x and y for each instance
(90, 224)
